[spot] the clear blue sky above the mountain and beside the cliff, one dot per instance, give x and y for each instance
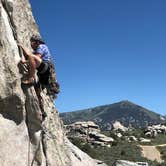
(106, 51)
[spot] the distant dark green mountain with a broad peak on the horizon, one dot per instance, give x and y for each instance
(128, 113)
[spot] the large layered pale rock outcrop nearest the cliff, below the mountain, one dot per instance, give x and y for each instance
(89, 132)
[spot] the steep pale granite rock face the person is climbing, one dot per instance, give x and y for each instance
(25, 140)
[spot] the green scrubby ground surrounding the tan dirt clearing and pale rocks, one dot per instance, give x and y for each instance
(121, 149)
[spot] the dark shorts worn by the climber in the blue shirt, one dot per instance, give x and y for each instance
(43, 73)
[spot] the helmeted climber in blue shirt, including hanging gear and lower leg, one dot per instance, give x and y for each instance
(40, 60)
